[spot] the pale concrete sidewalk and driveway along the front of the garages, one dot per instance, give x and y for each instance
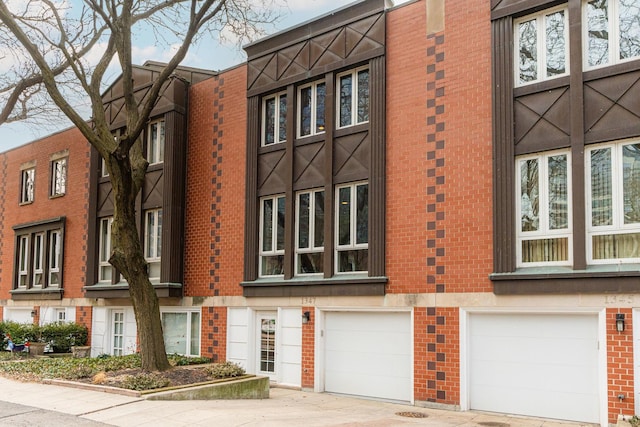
(284, 408)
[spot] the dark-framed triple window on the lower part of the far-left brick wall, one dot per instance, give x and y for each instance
(39, 255)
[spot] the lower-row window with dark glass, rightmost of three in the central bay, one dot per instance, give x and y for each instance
(352, 227)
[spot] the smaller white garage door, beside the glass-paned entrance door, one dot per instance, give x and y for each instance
(368, 354)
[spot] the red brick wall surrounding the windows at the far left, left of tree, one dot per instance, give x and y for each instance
(73, 205)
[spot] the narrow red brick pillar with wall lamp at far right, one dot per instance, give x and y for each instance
(620, 371)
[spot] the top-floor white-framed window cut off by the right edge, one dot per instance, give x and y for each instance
(612, 31)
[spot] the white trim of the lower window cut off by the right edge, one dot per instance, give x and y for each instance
(617, 189)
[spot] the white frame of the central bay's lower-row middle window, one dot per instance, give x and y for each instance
(311, 248)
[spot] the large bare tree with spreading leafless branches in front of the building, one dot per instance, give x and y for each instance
(56, 39)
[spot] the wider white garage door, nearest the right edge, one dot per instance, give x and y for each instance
(543, 365)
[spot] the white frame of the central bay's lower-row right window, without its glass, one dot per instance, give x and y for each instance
(353, 223)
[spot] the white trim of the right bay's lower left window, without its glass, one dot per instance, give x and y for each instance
(543, 229)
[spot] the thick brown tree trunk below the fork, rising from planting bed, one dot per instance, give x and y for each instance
(128, 257)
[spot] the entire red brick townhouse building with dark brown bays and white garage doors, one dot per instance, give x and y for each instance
(433, 203)
